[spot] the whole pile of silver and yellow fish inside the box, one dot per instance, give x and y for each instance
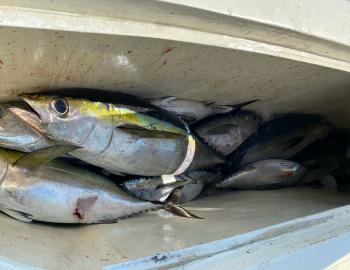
(86, 156)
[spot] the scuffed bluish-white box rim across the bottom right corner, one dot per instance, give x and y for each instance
(320, 241)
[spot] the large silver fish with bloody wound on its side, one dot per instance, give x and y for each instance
(60, 193)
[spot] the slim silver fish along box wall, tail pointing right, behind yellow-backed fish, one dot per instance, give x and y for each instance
(192, 111)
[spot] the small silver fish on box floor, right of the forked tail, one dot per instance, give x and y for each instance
(266, 174)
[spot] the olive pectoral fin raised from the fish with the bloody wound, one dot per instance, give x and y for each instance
(39, 157)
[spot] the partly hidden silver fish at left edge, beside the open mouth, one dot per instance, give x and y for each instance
(14, 134)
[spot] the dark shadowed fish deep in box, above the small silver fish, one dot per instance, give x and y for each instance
(281, 138)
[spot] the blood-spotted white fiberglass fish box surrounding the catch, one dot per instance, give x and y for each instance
(293, 57)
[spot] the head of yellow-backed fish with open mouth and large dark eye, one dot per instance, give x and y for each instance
(59, 118)
